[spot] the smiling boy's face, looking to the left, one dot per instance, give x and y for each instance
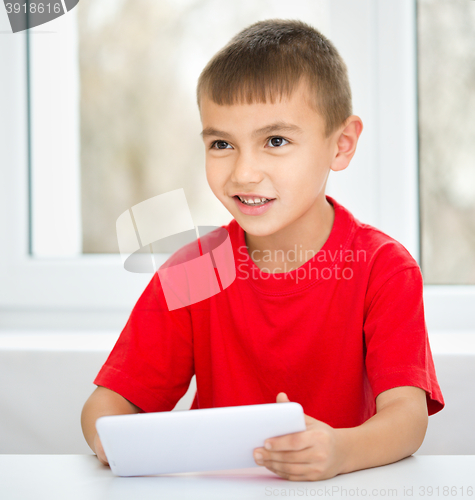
(290, 166)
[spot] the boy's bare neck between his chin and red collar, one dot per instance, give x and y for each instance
(294, 245)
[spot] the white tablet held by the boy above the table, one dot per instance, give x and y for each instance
(194, 440)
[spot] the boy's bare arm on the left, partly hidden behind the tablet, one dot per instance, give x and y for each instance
(100, 403)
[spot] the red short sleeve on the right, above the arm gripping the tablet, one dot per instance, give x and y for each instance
(396, 340)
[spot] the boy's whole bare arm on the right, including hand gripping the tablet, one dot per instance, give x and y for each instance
(396, 431)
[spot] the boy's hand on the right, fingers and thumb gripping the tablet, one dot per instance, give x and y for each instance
(310, 455)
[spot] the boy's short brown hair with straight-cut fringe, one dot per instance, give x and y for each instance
(268, 59)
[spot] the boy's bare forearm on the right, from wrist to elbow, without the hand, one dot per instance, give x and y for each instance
(395, 432)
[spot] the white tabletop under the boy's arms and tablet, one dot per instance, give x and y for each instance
(71, 477)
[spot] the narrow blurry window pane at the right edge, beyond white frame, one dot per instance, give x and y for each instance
(446, 54)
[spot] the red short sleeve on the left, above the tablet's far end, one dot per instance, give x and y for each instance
(151, 364)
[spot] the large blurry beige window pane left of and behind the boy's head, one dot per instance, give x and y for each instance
(140, 126)
